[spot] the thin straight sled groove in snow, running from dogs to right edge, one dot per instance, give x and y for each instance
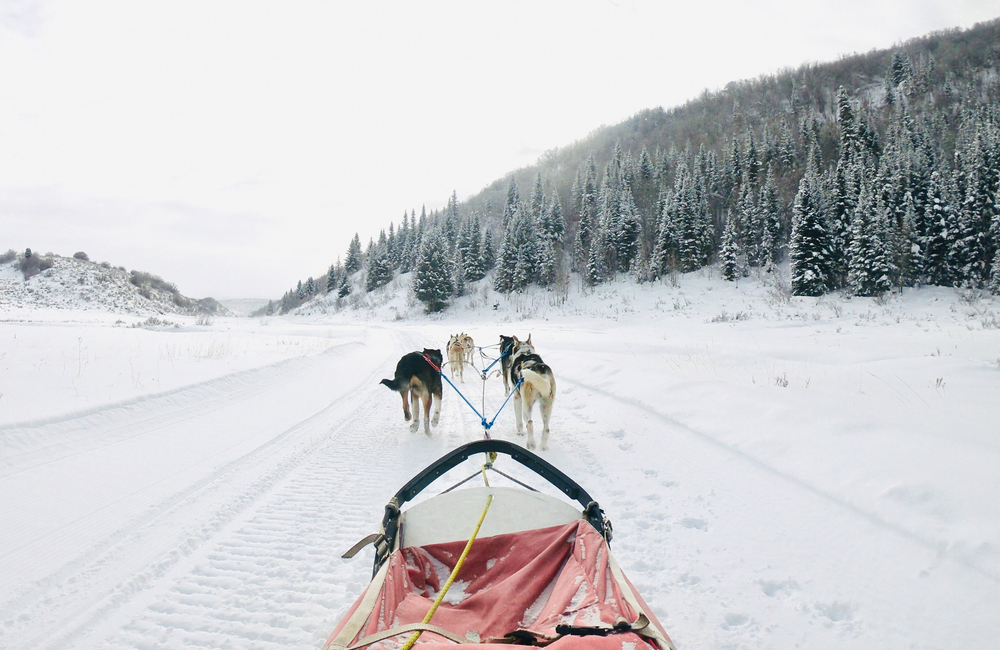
(872, 518)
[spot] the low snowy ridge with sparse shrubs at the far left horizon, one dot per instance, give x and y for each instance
(71, 283)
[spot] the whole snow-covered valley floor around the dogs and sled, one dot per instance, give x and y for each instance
(780, 472)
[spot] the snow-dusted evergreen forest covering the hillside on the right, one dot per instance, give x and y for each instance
(868, 174)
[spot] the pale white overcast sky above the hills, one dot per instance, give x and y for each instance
(235, 147)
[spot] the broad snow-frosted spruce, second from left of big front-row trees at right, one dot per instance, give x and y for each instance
(869, 260)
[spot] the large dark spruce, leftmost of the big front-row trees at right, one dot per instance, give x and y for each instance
(809, 247)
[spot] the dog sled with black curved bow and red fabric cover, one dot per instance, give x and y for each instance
(491, 567)
